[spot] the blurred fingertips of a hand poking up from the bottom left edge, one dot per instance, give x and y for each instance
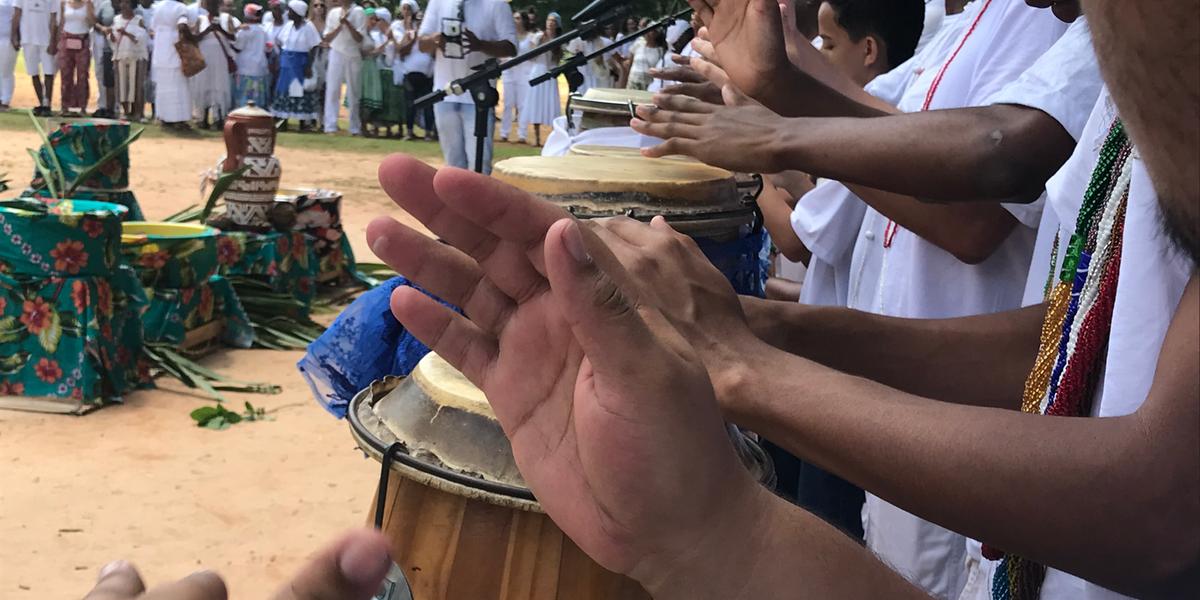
(350, 569)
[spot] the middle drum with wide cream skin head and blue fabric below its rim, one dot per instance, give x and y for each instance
(699, 201)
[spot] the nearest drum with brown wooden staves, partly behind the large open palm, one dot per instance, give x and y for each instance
(461, 520)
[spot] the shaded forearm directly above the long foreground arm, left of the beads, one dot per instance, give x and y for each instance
(977, 361)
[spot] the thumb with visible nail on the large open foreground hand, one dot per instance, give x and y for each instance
(603, 314)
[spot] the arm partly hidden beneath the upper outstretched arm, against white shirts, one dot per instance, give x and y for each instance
(971, 232)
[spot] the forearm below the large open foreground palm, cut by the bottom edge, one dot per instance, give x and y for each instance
(782, 551)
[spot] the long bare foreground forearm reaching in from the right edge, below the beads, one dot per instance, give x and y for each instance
(1094, 497)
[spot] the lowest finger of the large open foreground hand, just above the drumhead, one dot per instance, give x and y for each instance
(447, 333)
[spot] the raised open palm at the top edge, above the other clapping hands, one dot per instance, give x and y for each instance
(748, 40)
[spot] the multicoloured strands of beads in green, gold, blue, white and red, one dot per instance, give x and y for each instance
(1076, 332)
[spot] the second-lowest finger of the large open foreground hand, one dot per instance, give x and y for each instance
(442, 271)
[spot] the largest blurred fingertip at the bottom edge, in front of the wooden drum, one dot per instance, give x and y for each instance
(350, 569)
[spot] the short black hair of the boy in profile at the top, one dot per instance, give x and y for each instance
(897, 23)
